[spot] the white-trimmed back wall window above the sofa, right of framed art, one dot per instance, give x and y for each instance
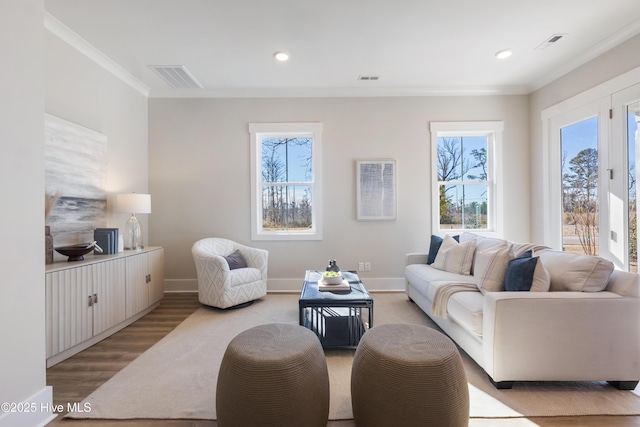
(465, 183)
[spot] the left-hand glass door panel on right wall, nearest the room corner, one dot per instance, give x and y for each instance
(580, 179)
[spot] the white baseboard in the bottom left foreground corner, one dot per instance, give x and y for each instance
(36, 411)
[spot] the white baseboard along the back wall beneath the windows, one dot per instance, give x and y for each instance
(384, 284)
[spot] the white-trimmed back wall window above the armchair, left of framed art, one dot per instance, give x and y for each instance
(286, 185)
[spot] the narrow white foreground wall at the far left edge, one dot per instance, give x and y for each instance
(22, 358)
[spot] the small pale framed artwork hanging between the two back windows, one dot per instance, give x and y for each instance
(376, 189)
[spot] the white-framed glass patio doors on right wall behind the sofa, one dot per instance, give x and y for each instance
(591, 144)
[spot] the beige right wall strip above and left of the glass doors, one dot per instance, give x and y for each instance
(611, 64)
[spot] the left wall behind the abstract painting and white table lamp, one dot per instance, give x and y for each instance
(79, 90)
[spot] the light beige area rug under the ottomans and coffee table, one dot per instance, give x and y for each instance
(176, 378)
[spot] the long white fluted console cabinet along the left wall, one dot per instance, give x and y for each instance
(86, 301)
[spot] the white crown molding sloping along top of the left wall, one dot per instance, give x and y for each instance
(63, 32)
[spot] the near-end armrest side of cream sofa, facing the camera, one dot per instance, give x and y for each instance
(564, 336)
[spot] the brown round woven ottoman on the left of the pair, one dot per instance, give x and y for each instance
(273, 375)
